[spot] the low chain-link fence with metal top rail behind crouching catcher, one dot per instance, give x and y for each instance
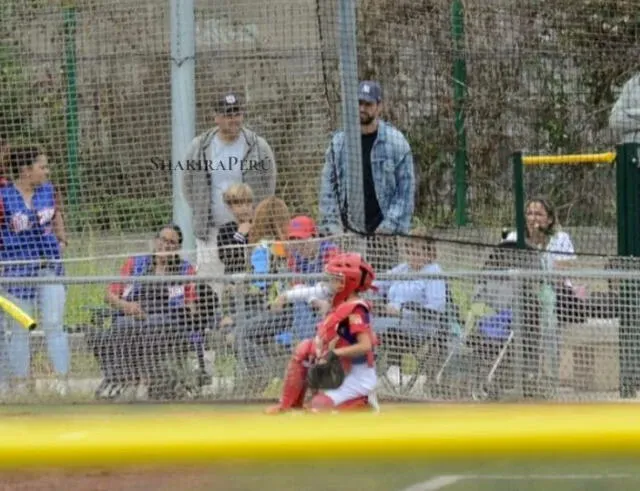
(453, 323)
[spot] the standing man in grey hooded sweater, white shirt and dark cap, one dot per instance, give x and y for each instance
(223, 155)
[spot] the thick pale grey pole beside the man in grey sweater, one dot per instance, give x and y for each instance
(183, 108)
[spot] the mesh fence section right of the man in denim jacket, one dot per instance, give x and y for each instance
(468, 83)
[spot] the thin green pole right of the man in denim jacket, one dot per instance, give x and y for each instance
(459, 96)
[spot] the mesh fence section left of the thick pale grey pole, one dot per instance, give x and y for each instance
(89, 83)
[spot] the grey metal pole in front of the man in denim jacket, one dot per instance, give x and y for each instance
(348, 53)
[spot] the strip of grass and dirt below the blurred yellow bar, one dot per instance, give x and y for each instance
(418, 476)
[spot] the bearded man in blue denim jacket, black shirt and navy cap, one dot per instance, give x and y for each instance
(387, 169)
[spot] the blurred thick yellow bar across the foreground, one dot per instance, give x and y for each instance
(426, 432)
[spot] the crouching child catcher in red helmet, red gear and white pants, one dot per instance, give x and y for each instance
(338, 365)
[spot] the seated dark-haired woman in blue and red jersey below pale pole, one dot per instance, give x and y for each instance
(149, 318)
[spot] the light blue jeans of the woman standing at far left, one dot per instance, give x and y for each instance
(50, 302)
